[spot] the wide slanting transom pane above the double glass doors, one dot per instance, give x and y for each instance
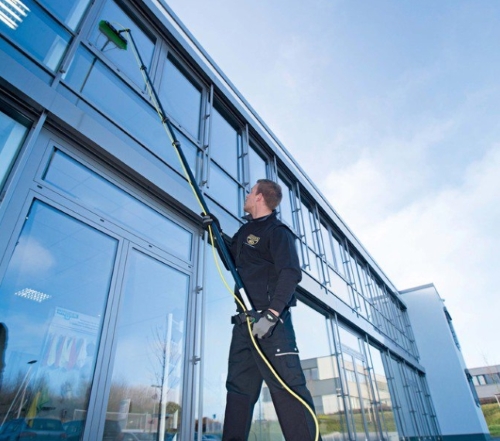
(99, 194)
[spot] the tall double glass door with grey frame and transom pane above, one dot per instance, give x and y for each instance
(93, 305)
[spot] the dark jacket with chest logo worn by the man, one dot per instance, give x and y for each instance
(266, 259)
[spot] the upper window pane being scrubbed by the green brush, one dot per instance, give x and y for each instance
(124, 59)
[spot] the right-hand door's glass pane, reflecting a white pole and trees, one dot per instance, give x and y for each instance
(146, 384)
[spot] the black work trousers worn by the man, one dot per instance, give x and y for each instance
(246, 373)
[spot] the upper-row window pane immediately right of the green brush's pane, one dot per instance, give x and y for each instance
(181, 98)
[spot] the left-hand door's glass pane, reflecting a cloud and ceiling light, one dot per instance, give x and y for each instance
(52, 301)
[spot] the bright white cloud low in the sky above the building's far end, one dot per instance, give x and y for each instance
(449, 238)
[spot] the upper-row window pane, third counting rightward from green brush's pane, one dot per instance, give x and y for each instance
(224, 143)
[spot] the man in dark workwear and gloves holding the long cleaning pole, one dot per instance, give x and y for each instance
(266, 258)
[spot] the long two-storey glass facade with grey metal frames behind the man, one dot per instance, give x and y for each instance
(110, 299)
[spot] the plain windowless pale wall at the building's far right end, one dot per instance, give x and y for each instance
(458, 413)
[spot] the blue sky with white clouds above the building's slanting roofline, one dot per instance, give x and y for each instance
(393, 107)
